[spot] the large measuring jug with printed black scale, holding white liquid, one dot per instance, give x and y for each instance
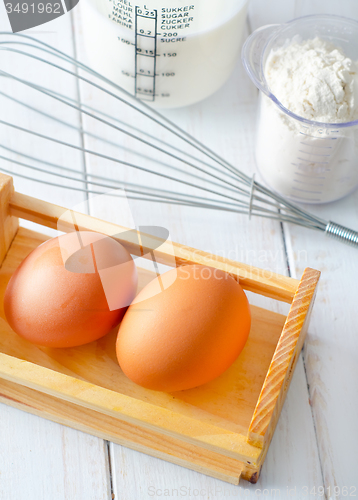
(168, 53)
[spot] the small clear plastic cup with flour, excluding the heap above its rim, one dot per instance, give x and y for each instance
(304, 160)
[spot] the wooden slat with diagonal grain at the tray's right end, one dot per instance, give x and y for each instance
(284, 361)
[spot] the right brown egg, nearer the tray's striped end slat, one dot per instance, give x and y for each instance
(186, 335)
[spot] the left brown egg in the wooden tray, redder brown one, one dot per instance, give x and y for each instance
(71, 290)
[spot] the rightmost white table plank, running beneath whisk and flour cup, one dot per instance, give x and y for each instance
(331, 345)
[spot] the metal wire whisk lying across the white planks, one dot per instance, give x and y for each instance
(225, 186)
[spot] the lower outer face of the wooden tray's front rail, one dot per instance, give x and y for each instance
(124, 433)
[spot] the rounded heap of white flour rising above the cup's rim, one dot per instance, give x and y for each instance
(315, 80)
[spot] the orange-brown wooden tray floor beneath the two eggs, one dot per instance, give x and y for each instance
(228, 401)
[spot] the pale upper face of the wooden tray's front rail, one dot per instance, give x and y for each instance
(130, 410)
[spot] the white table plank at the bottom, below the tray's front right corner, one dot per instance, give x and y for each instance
(290, 467)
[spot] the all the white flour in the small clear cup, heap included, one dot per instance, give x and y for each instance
(316, 164)
